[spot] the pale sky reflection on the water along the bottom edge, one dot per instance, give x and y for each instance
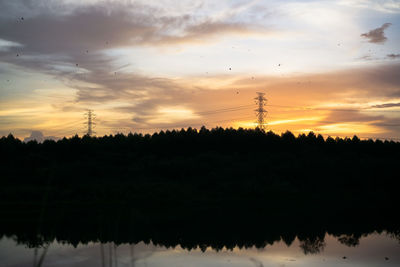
(371, 252)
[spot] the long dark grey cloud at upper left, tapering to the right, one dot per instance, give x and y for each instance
(100, 26)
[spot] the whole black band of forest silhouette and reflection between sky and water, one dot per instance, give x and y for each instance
(173, 183)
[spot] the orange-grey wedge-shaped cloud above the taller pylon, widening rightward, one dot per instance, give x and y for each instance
(380, 81)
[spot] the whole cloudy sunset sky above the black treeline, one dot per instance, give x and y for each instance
(332, 67)
